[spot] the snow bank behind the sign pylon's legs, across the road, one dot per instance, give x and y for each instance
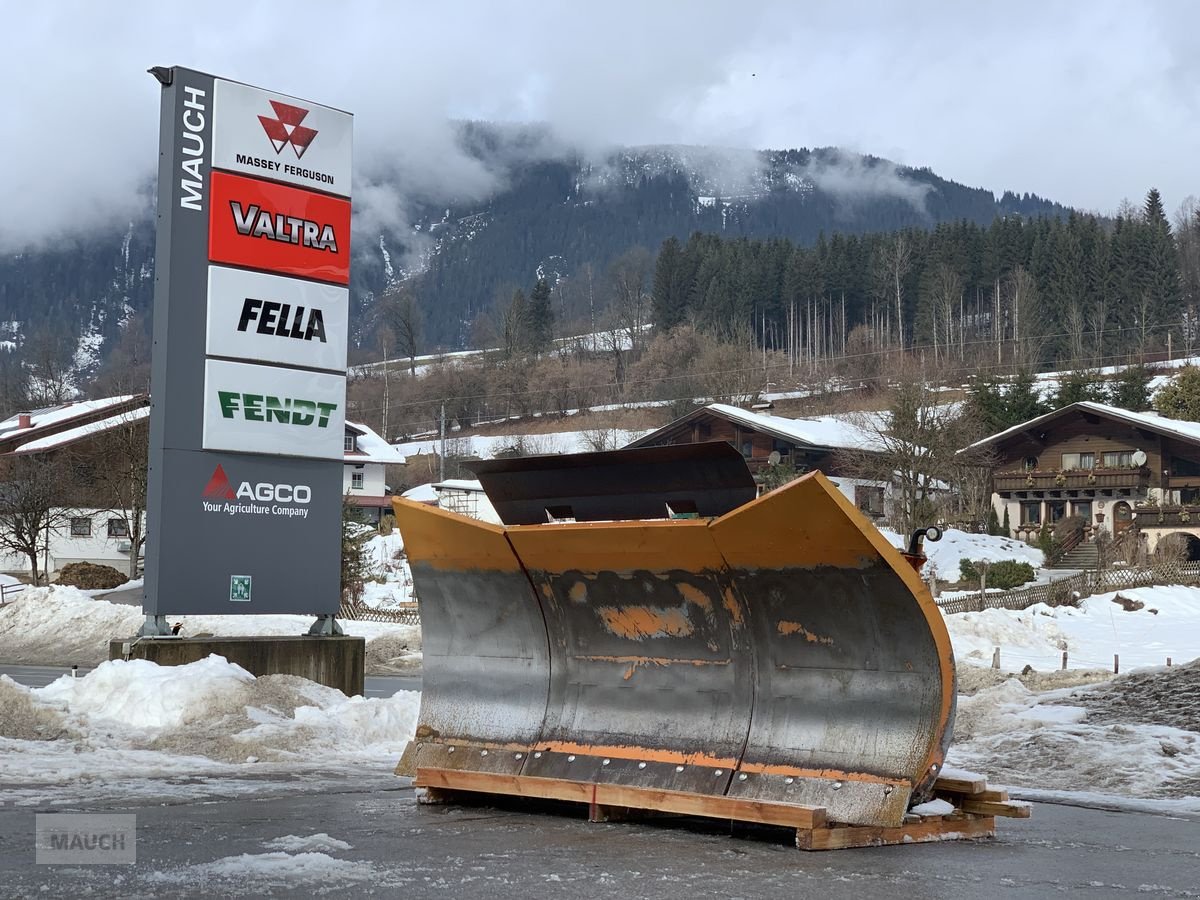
(63, 626)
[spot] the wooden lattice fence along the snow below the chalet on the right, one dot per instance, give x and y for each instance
(1071, 590)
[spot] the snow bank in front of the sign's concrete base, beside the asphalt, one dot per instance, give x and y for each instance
(212, 723)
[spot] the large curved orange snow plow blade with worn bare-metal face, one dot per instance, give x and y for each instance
(784, 651)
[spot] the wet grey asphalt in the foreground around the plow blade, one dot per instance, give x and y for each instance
(400, 849)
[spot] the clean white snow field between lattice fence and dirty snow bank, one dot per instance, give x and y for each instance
(1167, 626)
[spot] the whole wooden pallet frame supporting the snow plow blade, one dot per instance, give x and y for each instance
(975, 818)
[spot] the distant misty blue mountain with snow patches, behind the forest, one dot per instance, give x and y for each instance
(553, 212)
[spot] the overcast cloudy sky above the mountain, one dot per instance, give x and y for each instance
(1082, 103)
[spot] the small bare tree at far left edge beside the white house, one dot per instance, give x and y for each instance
(32, 488)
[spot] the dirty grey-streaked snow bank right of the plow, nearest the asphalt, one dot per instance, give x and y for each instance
(1083, 742)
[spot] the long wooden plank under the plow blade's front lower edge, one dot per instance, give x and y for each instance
(790, 815)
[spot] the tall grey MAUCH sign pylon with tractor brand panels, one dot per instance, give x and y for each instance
(249, 371)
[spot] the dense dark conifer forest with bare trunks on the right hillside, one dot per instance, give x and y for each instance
(1069, 292)
